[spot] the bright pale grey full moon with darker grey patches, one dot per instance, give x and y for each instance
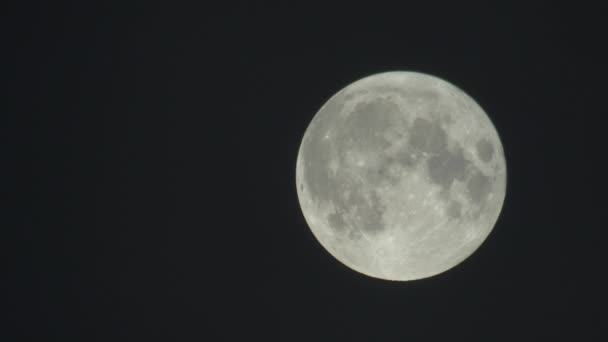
(401, 175)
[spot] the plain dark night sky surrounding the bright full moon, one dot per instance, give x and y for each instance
(149, 156)
